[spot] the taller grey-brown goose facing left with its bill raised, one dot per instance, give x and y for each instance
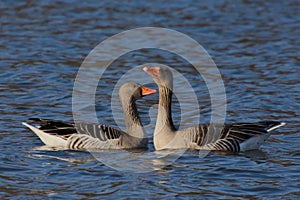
(233, 137)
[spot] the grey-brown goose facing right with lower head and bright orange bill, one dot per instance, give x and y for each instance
(88, 136)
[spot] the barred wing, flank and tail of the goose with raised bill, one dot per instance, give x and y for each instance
(233, 137)
